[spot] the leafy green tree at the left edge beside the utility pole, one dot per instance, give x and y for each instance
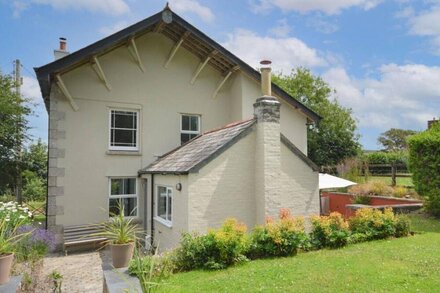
(13, 128)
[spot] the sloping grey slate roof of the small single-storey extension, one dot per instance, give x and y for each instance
(199, 151)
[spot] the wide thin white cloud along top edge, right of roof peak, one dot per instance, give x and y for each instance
(305, 6)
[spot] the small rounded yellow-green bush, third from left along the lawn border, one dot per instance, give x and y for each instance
(329, 231)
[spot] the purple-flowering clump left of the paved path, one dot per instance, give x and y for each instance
(36, 244)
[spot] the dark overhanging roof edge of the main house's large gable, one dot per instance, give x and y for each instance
(46, 73)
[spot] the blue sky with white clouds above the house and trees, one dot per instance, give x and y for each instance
(381, 56)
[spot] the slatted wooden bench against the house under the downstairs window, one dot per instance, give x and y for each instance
(81, 237)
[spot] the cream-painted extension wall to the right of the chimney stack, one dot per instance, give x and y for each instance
(299, 183)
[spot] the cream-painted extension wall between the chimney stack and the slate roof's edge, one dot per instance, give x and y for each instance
(224, 188)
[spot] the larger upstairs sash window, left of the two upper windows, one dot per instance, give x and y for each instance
(124, 132)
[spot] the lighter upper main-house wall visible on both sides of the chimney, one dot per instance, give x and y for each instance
(293, 123)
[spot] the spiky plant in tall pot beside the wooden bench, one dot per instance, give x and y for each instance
(121, 234)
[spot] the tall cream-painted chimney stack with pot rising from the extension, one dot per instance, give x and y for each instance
(267, 150)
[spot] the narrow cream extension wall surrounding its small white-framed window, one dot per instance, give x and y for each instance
(166, 237)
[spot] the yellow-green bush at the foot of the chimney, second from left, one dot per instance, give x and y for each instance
(278, 238)
